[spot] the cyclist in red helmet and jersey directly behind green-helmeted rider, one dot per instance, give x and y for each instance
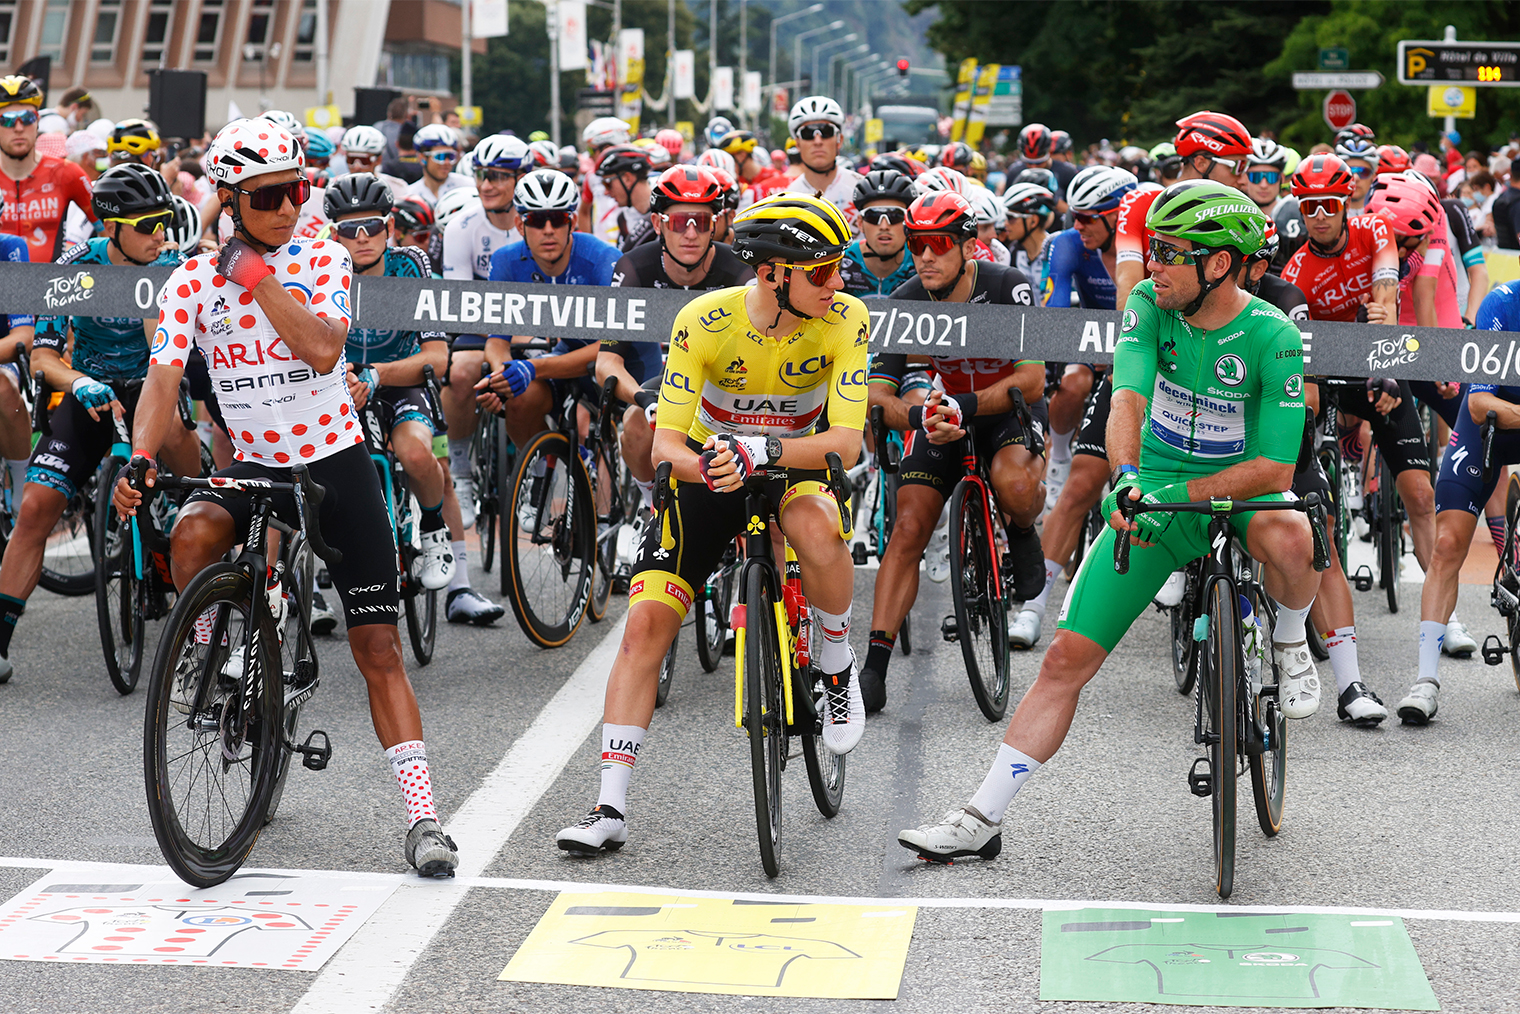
(1212, 147)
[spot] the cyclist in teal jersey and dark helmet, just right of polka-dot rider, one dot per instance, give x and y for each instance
(387, 367)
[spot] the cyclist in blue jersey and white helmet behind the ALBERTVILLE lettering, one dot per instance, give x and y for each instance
(549, 253)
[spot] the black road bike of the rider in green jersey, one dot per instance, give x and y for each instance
(1237, 712)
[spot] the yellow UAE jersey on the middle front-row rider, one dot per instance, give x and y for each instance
(723, 376)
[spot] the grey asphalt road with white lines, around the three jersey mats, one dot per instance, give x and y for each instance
(1420, 822)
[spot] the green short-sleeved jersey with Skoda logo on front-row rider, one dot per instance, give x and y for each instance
(1215, 398)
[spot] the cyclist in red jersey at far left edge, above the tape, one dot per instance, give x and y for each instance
(37, 189)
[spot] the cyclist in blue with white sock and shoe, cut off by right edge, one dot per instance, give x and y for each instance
(1461, 492)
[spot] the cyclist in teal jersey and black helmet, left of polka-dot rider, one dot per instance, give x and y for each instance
(104, 378)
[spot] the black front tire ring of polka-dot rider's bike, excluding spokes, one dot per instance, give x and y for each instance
(191, 863)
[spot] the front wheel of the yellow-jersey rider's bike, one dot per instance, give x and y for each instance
(765, 721)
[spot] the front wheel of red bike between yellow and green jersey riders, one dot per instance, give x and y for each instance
(980, 610)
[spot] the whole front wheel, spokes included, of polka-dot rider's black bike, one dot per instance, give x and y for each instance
(212, 741)
